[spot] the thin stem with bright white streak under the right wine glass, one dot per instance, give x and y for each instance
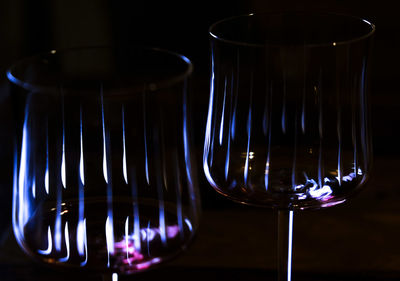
(285, 238)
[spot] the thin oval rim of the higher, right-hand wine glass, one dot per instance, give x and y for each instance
(310, 45)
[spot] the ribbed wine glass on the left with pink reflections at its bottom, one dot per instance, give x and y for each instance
(104, 175)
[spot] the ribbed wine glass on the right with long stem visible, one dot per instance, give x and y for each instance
(288, 117)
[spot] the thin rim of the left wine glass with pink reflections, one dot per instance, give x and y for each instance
(18, 81)
